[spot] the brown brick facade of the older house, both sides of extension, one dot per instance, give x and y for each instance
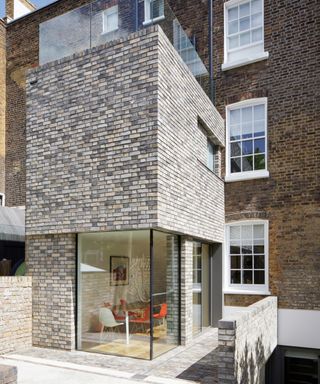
(288, 199)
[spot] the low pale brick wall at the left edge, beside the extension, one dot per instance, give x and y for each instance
(15, 314)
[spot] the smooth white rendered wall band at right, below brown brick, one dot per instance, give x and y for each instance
(299, 328)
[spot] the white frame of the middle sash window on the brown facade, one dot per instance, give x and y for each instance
(247, 175)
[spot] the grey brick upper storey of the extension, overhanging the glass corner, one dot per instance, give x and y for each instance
(104, 147)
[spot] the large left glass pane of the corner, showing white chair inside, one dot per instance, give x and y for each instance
(114, 293)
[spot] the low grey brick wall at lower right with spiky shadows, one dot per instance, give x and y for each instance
(246, 341)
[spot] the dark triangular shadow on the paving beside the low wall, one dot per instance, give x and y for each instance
(204, 370)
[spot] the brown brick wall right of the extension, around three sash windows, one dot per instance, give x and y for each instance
(289, 198)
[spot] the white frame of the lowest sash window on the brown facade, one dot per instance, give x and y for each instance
(247, 289)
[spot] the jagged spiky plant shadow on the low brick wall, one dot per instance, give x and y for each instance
(250, 369)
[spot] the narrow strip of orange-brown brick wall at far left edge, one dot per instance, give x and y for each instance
(2, 103)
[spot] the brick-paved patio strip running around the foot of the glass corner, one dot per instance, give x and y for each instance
(196, 363)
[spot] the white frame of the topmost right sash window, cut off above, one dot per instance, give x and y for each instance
(255, 57)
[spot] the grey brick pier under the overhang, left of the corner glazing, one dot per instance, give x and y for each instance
(51, 261)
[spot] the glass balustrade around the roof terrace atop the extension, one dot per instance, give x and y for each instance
(106, 20)
